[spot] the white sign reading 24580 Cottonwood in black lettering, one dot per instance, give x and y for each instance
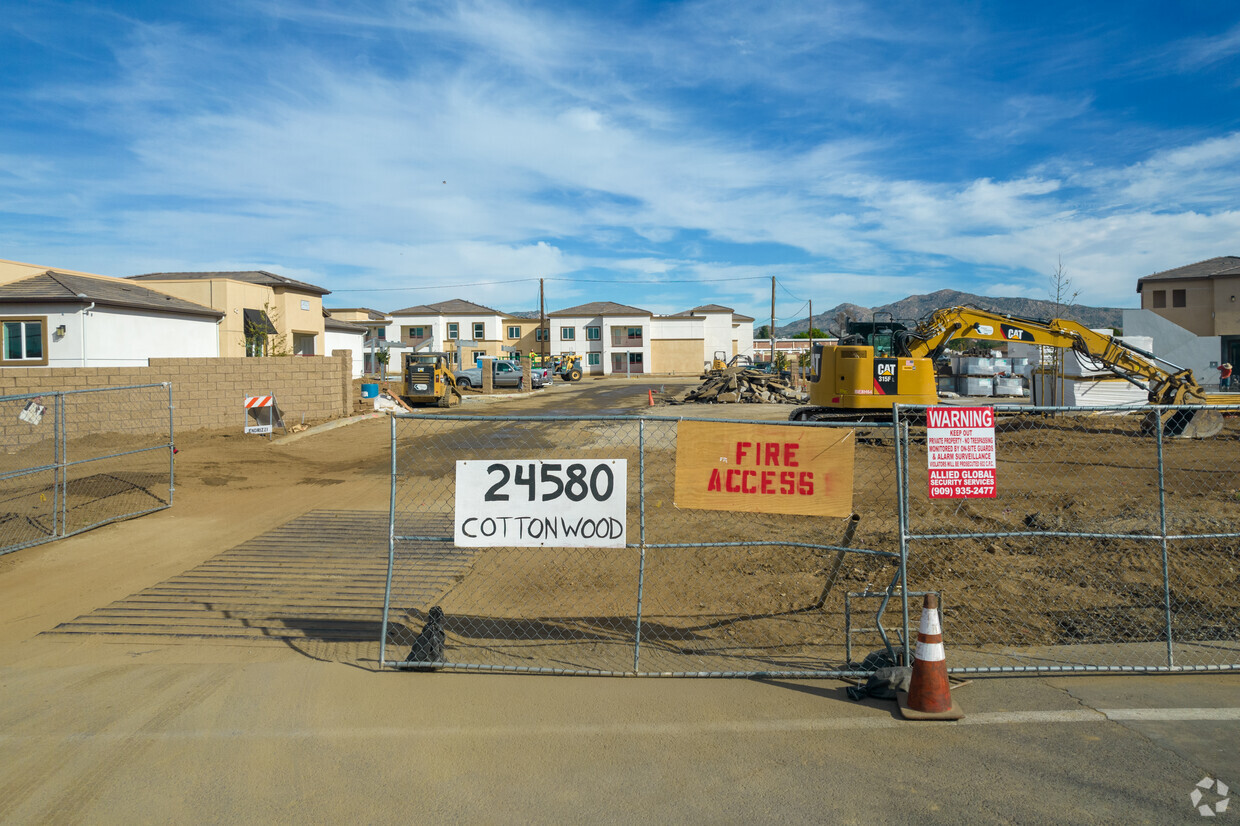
(541, 503)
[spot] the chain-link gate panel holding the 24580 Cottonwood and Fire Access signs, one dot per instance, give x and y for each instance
(701, 593)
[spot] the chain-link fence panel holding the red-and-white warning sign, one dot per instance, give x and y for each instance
(1109, 546)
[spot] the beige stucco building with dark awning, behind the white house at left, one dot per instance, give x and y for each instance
(265, 313)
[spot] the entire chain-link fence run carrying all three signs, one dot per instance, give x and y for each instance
(1108, 546)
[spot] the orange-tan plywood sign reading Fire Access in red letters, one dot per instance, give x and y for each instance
(764, 469)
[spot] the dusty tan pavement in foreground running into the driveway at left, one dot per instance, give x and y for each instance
(158, 727)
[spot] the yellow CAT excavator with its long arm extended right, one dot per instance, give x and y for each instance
(880, 364)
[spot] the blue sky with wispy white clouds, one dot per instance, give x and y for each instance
(657, 154)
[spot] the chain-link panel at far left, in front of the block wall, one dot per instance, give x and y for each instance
(76, 461)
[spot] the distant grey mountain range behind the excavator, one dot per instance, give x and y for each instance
(917, 307)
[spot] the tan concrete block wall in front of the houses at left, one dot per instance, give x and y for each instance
(209, 394)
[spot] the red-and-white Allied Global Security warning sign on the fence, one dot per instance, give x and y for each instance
(960, 448)
